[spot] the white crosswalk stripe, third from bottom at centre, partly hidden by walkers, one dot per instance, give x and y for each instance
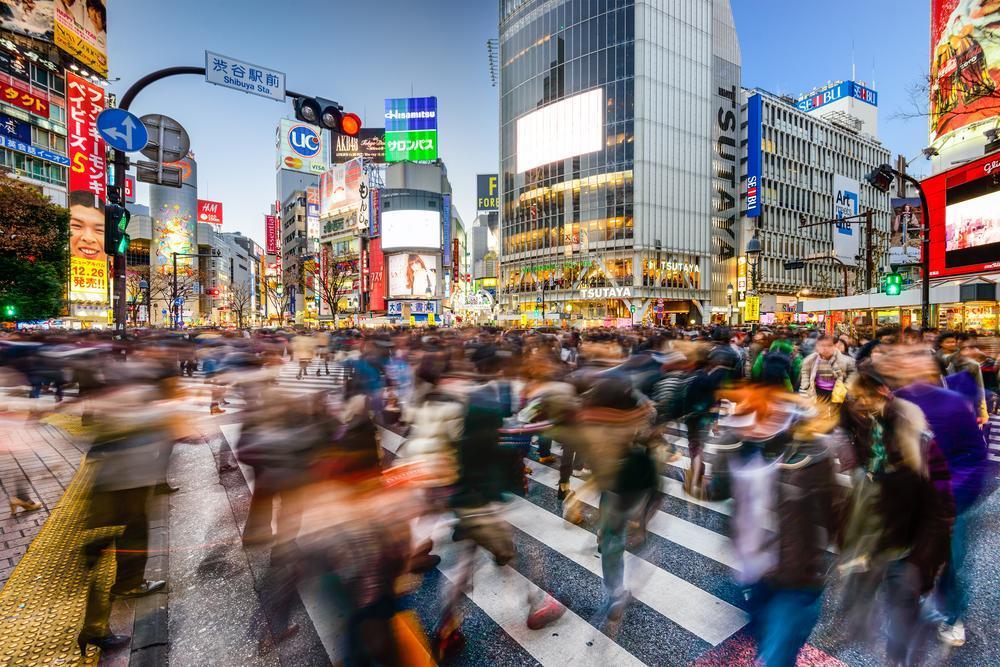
(688, 535)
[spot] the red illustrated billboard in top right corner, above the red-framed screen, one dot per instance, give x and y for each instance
(965, 64)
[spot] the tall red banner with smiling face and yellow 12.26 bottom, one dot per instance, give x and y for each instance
(88, 191)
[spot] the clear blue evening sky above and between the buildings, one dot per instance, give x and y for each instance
(362, 52)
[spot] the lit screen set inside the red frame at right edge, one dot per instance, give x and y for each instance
(972, 224)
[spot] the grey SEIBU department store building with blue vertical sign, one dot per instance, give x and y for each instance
(805, 167)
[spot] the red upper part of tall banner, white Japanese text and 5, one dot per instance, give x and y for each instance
(88, 170)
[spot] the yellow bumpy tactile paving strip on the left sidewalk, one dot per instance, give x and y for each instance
(42, 604)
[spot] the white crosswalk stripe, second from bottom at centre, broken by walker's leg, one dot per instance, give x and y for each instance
(695, 610)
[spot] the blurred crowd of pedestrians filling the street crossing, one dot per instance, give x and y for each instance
(852, 465)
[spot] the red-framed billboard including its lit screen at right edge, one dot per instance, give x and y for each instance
(964, 218)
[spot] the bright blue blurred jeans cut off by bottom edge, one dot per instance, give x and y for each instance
(781, 620)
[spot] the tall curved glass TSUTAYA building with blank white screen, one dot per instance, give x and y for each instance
(619, 167)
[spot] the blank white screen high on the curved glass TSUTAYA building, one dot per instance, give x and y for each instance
(564, 129)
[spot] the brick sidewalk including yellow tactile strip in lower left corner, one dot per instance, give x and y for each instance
(44, 593)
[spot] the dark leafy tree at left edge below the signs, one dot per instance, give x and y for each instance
(34, 252)
